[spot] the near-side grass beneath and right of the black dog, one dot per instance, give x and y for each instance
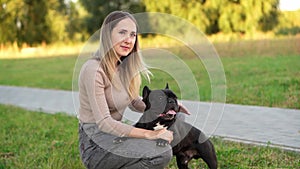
(237, 155)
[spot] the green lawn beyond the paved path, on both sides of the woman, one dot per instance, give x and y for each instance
(260, 76)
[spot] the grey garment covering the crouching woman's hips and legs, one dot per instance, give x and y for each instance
(98, 150)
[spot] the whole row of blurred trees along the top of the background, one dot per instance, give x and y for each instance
(37, 21)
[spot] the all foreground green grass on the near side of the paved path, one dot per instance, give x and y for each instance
(38, 140)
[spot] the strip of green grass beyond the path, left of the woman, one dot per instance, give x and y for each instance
(53, 72)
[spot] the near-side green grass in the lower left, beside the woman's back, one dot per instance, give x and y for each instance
(37, 140)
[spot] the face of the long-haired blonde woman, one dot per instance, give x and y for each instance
(123, 37)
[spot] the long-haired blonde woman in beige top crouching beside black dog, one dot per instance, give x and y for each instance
(108, 83)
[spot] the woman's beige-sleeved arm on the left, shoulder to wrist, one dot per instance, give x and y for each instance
(94, 83)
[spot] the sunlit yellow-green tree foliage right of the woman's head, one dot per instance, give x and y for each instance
(229, 16)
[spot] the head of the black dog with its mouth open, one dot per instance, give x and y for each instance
(163, 103)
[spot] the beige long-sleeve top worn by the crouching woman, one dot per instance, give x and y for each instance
(102, 103)
